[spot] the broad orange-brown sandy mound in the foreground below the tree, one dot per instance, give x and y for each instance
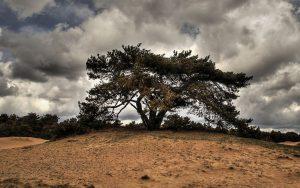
(151, 159)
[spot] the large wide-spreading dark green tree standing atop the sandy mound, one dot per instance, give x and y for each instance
(154, 84)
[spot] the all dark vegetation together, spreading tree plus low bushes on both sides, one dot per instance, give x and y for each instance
(153, 85)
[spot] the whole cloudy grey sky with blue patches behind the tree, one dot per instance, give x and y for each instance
(44, 45)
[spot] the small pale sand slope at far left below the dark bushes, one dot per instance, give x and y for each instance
(17, 142)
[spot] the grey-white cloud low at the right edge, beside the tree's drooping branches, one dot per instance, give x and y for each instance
(275, 102)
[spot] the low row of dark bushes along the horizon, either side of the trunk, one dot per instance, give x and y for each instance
(48, 127)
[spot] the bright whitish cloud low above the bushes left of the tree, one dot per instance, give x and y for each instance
(59, 96)
